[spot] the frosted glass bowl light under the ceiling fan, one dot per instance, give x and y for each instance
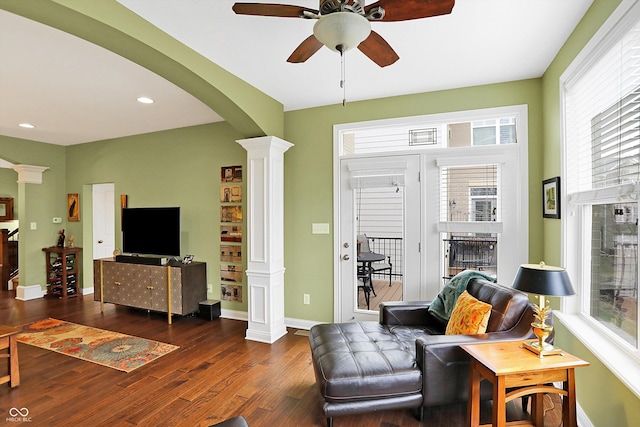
(341, 31)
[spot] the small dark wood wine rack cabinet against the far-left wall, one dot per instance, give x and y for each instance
(63, 271)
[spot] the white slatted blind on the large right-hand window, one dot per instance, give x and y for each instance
(602, 119)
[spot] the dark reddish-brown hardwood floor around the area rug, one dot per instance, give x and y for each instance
(216, 374)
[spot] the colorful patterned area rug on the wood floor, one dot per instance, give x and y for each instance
(112, 349)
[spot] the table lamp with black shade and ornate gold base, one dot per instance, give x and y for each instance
(542, 280)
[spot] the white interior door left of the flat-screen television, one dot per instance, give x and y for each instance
(103, 221)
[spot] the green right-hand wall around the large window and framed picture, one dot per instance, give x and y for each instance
(605, 399)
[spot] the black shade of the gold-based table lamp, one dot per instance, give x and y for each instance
(543, 279)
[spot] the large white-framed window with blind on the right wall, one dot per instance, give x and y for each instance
(601, 146)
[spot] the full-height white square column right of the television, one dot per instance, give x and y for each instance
(265, 237)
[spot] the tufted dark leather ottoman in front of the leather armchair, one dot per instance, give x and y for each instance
(361, 367)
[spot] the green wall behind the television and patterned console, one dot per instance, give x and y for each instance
(179, 167)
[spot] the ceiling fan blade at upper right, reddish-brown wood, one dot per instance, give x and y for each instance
(404, 10)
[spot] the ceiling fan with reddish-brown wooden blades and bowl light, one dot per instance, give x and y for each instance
(345, 24)
